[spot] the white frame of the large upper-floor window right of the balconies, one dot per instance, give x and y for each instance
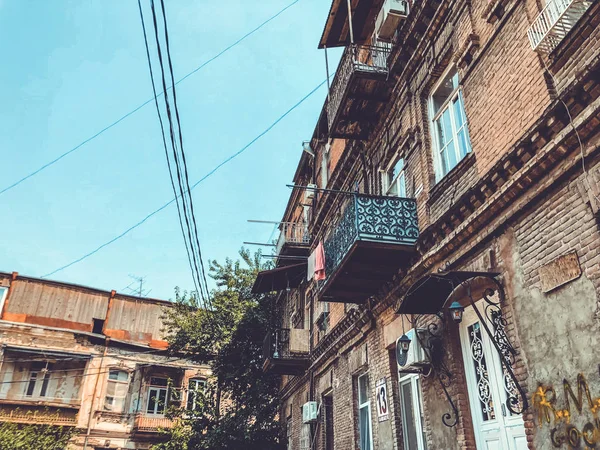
(434, 116)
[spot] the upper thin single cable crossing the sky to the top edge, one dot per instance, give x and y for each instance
(116, 122)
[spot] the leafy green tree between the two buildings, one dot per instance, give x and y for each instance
(238, 411)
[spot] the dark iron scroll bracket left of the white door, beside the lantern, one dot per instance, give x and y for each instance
(433, 347)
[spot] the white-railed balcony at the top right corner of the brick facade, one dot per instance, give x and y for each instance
(554, 22)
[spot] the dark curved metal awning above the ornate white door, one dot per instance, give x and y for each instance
(429, 294)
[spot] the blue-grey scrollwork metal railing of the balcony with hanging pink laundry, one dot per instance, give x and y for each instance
(371, 218)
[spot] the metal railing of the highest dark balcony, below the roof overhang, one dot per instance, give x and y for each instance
(363, 59)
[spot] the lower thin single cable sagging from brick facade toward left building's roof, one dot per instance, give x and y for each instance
(153, 213)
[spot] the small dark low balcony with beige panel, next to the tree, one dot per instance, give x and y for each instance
(285, 351)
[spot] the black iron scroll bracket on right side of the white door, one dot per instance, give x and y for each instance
(516, 400)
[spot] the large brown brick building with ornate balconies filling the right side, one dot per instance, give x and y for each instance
(453, 181)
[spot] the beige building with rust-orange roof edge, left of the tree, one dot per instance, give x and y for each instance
(90, 359)
